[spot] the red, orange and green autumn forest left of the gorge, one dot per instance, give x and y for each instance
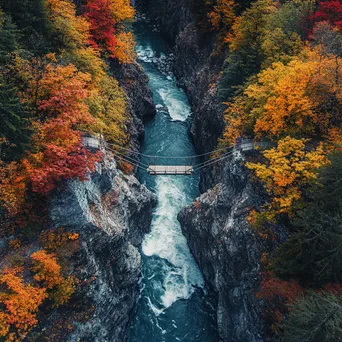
(56, 82)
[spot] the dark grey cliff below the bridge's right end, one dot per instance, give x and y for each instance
(227, 250)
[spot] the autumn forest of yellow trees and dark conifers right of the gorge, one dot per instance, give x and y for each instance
(282, 84)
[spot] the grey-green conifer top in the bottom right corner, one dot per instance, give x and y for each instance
(315, 318)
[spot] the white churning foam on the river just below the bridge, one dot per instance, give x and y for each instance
(167, 242)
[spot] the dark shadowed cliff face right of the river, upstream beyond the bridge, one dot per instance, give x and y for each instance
(196, 65)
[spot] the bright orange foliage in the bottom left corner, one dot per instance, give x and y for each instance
(21, 302)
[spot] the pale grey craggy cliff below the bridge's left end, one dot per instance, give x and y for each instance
(111, 212)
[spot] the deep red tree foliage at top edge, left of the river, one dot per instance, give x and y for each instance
(99, 15)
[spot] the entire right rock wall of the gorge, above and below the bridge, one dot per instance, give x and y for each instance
(216, 226)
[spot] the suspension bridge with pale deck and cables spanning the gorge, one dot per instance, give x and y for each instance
(163, 165)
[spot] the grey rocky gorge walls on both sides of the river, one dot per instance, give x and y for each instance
(112, 212)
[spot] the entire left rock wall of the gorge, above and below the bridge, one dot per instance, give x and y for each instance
(111, 212)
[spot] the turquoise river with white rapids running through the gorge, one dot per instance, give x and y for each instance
(174, 304)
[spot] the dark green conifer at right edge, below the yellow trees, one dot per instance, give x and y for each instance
(314, 253)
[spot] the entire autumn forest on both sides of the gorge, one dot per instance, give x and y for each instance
(281, 83)
